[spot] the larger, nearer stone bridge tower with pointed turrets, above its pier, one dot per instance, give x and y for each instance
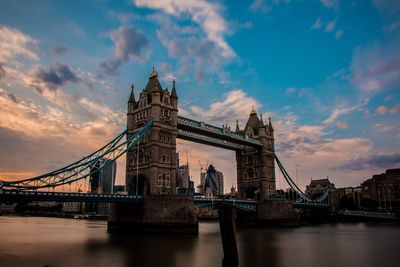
(155, 160)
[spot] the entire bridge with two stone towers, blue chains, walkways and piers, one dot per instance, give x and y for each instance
(149, 142)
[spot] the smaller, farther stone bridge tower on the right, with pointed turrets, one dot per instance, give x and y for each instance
(256, 167)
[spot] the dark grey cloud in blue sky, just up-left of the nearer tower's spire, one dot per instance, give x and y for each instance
(129, 44)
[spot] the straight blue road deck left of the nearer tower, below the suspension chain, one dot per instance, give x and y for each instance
(15, 196)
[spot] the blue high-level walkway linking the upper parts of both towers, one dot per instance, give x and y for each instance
(204, 133)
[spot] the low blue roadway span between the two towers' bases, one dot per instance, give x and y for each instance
(247, 205)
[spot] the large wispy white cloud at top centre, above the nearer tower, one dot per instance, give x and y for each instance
(193, 33)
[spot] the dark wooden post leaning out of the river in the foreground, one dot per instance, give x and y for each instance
(228, 236)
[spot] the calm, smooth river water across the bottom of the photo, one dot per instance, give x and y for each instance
(30, 241)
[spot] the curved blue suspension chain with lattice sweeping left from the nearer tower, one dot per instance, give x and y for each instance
(83, 168)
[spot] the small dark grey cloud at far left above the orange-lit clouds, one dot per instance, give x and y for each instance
(55, 76)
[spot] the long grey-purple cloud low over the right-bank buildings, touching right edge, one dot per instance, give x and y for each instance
(383, 161)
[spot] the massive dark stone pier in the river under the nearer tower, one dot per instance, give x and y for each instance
(161, 214)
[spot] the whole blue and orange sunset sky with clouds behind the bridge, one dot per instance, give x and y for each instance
(327, 72)
